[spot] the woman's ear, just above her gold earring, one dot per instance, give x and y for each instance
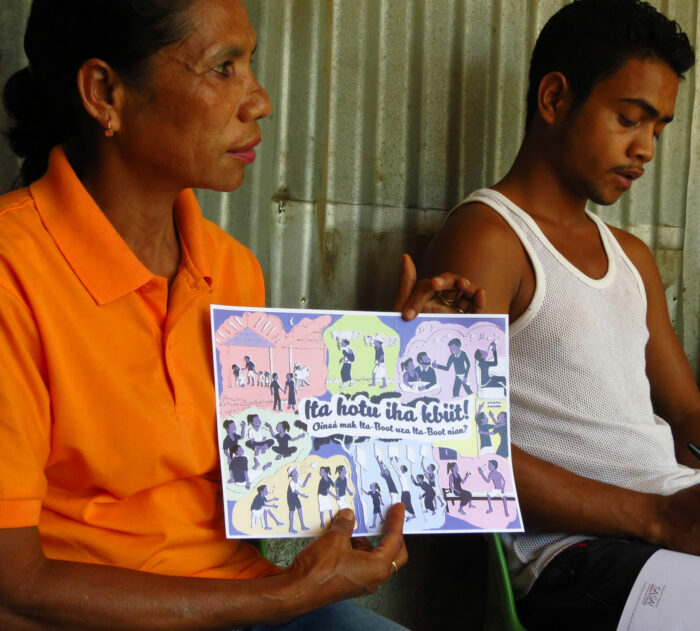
(101, 91)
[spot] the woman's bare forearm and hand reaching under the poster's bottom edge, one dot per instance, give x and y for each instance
(37, 593)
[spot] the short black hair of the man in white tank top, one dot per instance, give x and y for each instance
(589, 40)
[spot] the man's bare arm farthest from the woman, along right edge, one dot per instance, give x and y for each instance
(674, 392)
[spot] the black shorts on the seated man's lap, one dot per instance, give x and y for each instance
(585, 587)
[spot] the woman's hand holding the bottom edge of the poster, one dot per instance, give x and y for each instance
(335, 567)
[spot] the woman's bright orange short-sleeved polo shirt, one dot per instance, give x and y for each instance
(107, 405)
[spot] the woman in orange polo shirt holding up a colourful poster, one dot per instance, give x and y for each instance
(110, 512)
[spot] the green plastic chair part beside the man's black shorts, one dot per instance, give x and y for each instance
(500, 614)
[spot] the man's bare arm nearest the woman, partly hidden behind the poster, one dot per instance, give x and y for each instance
(476, 243)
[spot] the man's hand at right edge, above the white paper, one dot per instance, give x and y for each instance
(678, 525)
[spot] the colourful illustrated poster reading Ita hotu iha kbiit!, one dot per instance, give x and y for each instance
(322, 410)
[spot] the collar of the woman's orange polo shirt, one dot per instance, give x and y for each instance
(95, 251)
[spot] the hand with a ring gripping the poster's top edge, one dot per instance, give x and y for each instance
(421, 296)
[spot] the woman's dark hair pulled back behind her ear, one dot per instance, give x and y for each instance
(42, 99)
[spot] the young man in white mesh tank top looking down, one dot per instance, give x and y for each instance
(603, 398)
